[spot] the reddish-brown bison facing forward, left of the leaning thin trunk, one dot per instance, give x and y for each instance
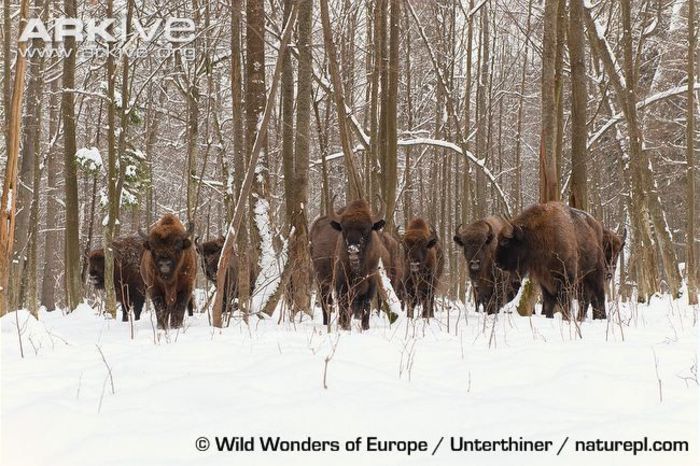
(169, 269)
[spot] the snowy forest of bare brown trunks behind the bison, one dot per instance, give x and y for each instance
(450, 111)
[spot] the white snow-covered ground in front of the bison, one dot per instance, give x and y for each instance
(484, 379)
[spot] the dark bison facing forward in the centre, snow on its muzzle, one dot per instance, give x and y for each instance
(359, 248)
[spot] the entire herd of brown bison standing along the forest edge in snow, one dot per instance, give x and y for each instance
(566, 251)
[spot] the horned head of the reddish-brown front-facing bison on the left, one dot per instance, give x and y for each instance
(167, 247)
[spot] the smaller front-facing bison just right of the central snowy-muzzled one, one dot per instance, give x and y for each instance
(424, 265)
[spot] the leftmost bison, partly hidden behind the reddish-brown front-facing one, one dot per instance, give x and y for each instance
(128, 284)
